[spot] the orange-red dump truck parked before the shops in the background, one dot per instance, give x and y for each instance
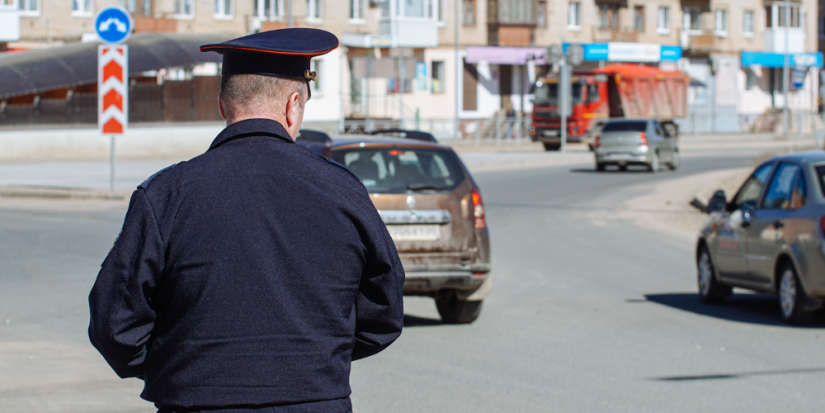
(614, 91)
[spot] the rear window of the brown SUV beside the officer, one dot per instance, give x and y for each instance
(396, 170)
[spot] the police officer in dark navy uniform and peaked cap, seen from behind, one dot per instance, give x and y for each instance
(249, 277)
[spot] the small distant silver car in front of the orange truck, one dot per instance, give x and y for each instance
(645, 142)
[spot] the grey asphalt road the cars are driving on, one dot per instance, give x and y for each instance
(589, 313)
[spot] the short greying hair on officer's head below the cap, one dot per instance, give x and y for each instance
(258, 93)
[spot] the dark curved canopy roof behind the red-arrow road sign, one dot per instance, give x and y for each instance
(76, 64)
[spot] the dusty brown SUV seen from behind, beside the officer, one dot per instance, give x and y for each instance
(433, 210)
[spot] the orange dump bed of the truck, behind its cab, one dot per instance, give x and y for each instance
(645, 92)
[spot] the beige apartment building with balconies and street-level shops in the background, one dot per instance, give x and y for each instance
(399, 58)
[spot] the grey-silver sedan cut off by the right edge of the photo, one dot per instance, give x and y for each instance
(770, 237)
